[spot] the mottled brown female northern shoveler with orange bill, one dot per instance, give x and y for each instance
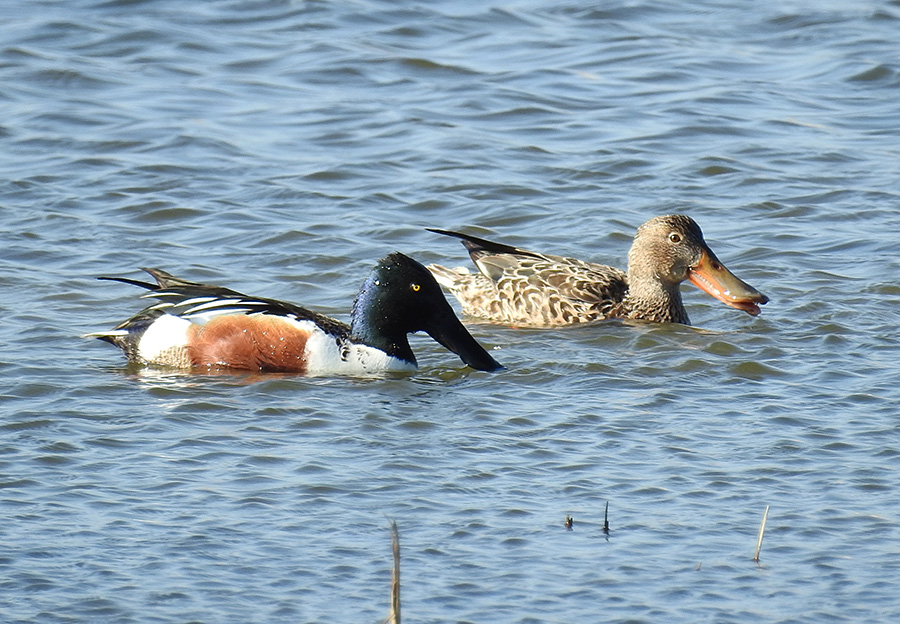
(524, 288)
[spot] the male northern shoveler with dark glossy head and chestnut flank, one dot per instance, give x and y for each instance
(201, 326)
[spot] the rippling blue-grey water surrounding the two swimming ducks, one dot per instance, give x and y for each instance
(281, 147)
